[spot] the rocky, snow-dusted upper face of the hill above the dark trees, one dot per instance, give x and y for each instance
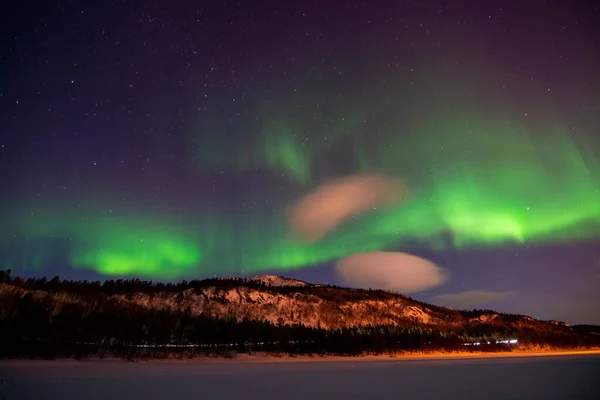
(280, 301)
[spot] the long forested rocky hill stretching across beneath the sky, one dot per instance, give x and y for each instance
(269, 311)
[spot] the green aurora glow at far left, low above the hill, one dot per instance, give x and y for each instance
(115, 245)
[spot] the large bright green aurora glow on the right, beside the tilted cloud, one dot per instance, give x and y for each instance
(495, 184)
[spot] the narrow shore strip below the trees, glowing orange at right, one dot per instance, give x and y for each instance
(263, 358)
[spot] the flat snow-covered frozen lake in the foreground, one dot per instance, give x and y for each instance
(565, 377)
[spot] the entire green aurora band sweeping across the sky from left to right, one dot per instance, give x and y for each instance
(478, 183)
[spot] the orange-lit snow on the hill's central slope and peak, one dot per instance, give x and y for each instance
(306, 309)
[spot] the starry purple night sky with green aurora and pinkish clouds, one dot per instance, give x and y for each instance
(186, 139)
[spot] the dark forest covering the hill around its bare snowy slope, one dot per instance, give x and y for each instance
(85, 319)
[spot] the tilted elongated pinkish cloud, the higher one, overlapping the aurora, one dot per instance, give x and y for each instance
(330, 204)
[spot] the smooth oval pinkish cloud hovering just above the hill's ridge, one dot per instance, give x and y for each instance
(390, 271)
